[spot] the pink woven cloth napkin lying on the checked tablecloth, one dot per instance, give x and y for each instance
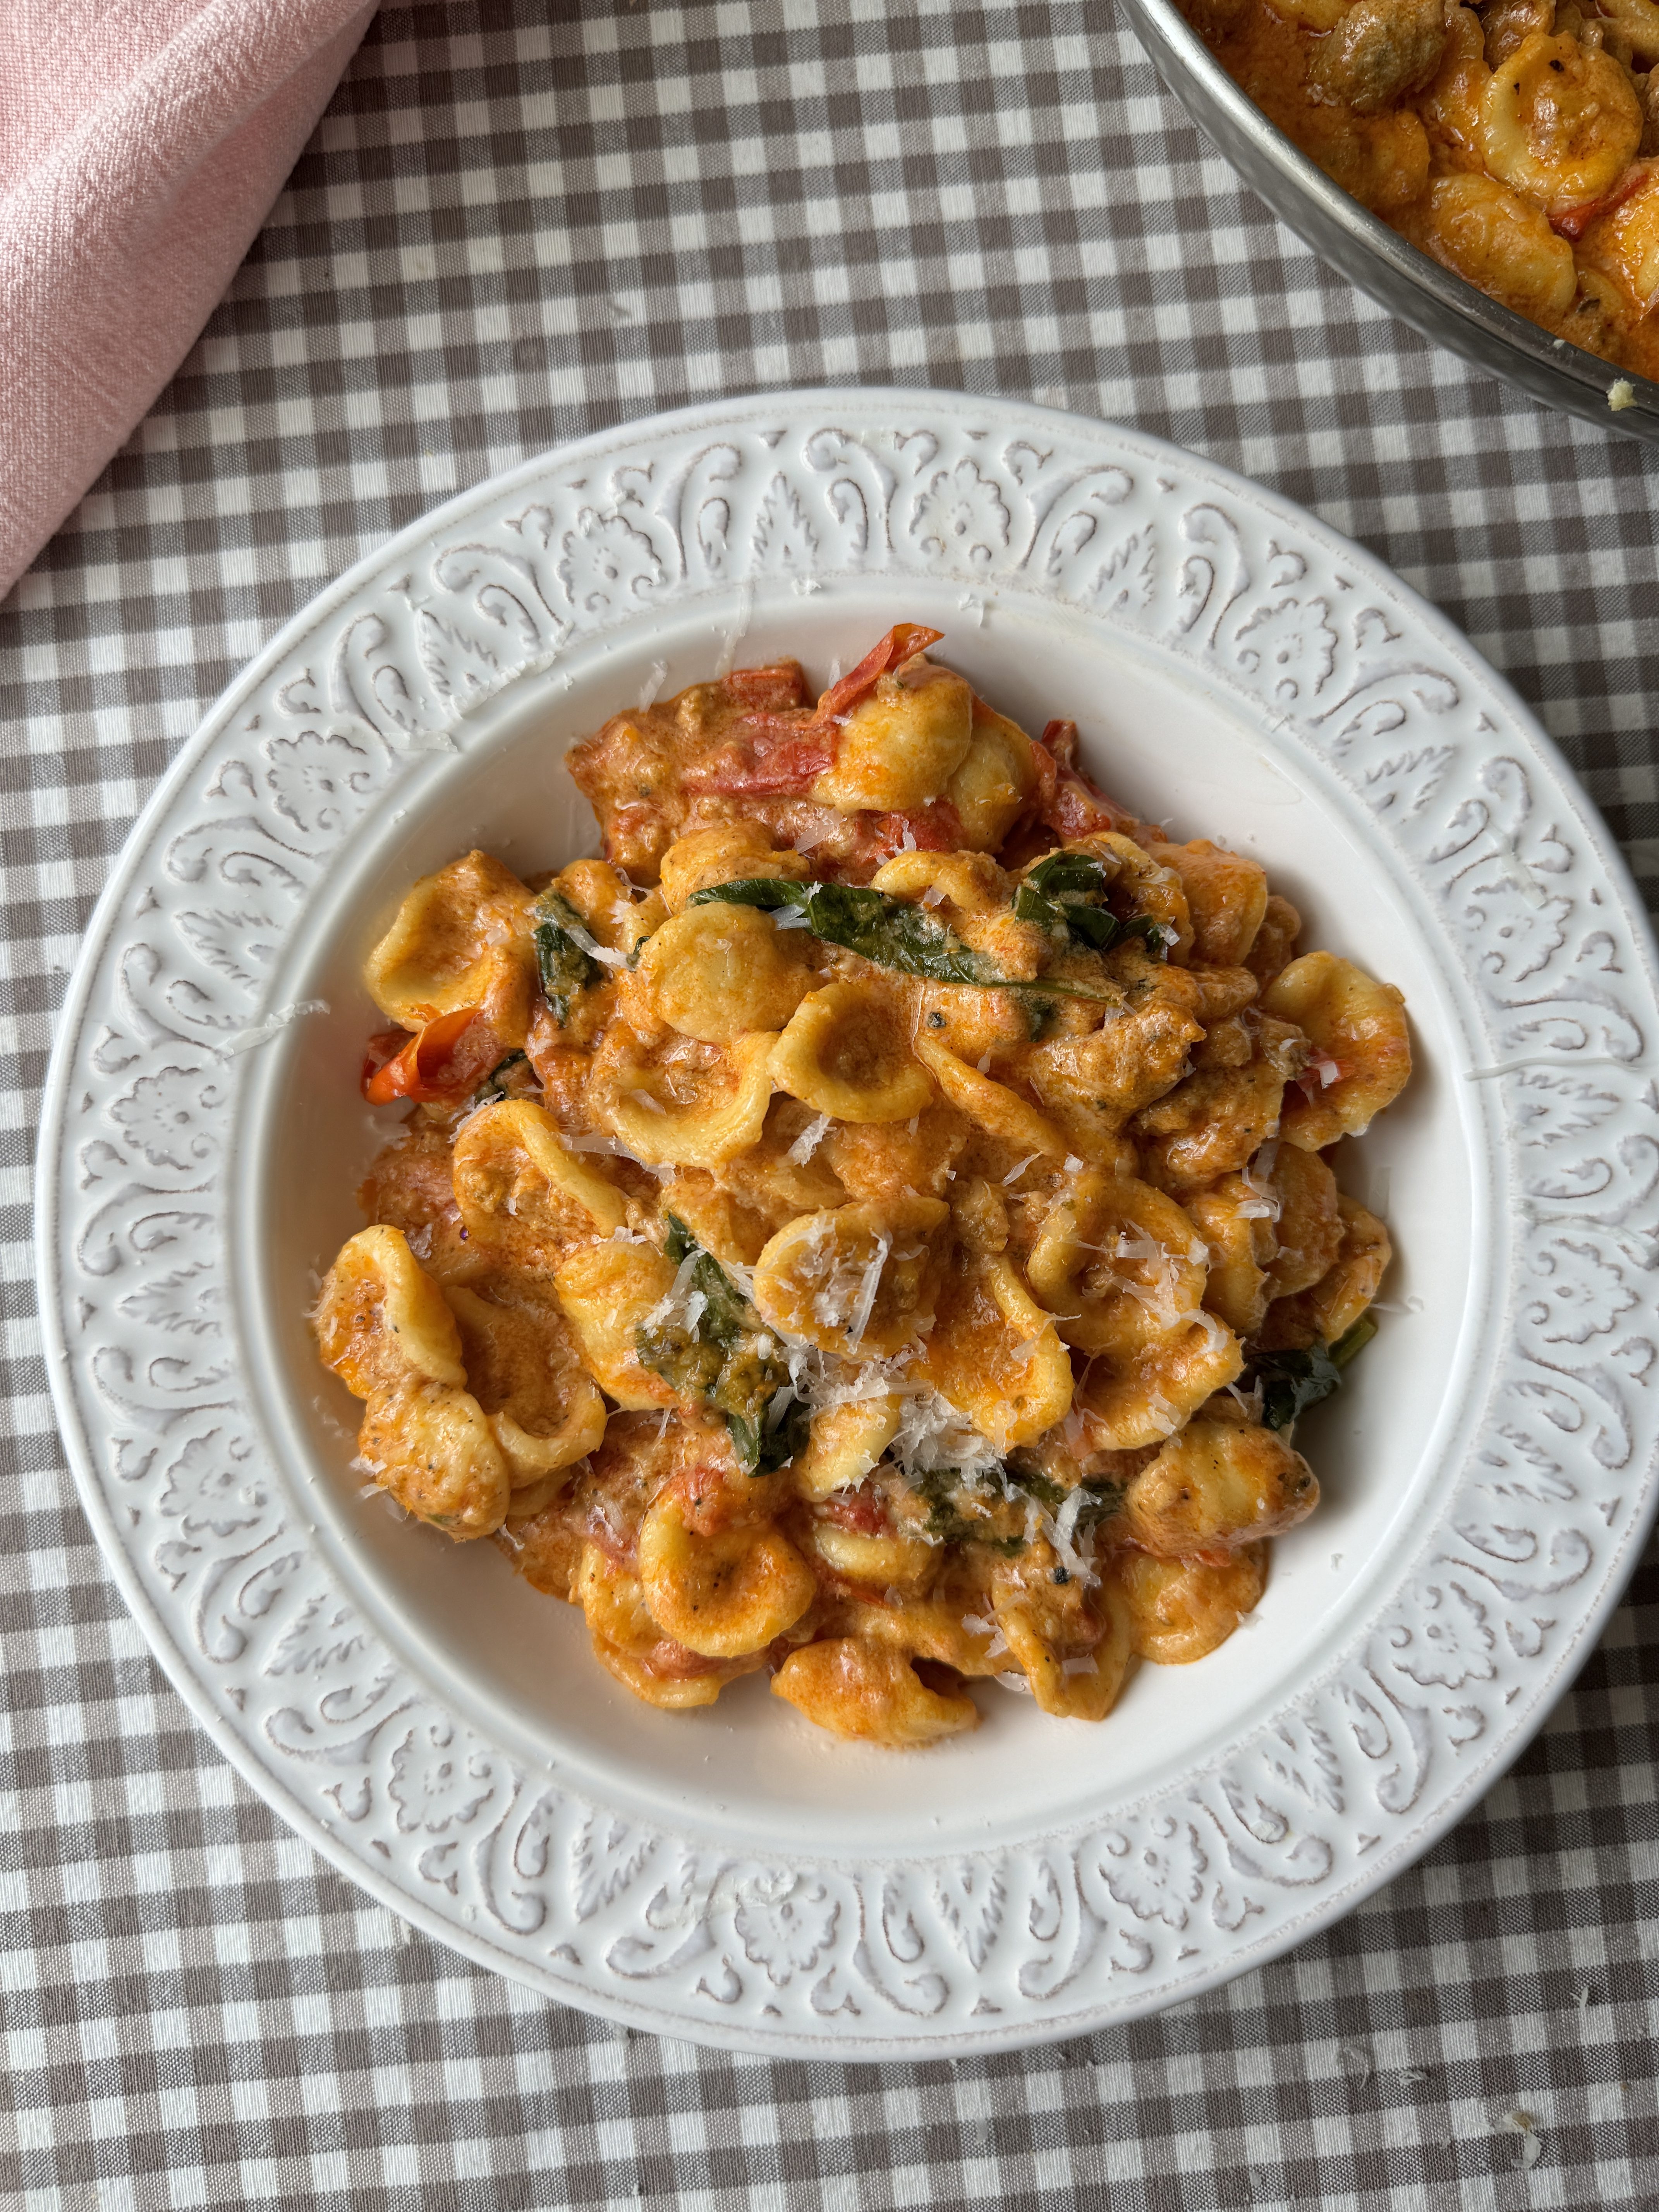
(140, 149)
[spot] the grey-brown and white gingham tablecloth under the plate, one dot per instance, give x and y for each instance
(523, 220)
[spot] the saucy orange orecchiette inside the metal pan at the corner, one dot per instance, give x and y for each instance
(1512, 140)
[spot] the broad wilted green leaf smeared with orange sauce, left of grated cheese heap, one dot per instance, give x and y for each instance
(729, 1359)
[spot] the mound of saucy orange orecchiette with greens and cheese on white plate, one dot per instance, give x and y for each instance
(879, 1224)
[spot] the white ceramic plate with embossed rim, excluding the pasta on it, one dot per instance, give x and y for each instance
(435, 1726)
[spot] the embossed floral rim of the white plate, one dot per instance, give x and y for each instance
(862, 1963)
